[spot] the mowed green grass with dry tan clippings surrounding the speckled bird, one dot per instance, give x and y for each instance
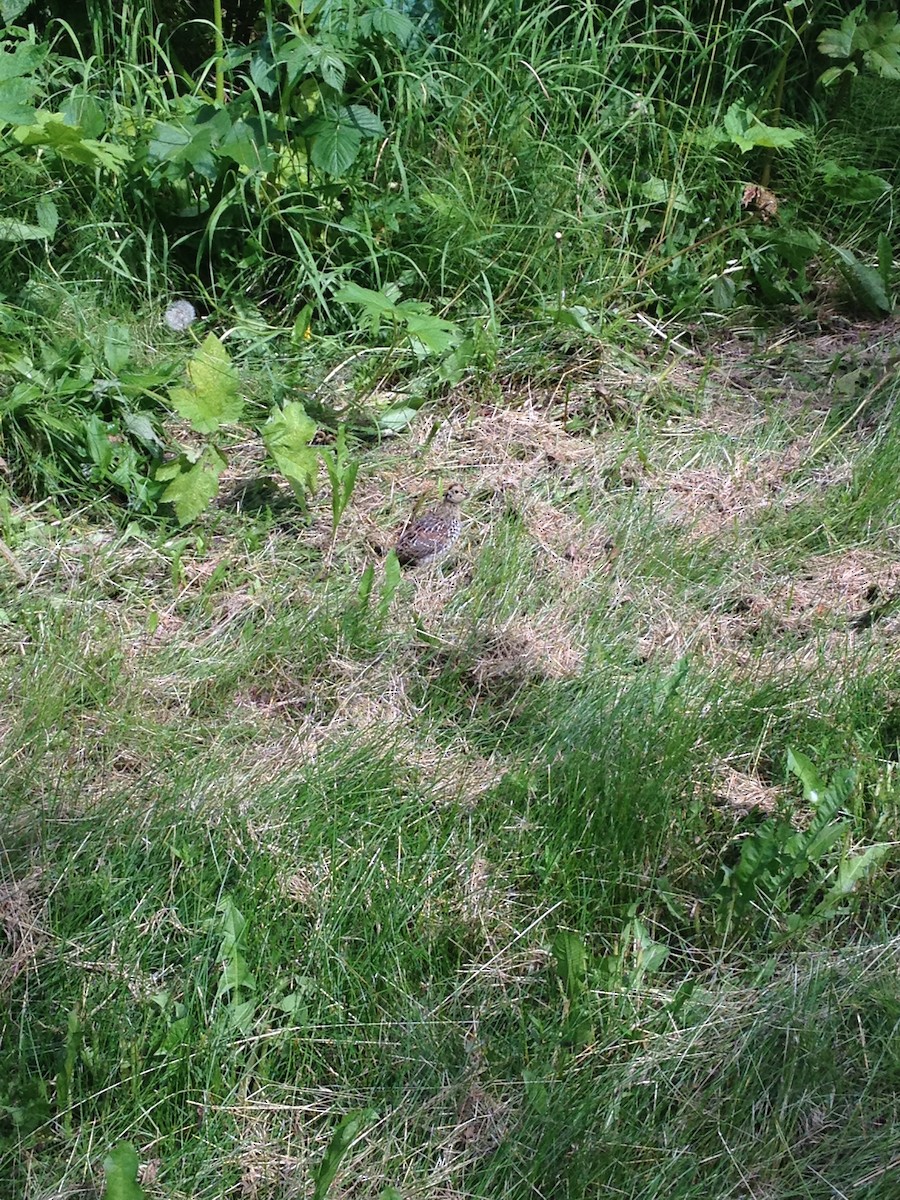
(472, 857)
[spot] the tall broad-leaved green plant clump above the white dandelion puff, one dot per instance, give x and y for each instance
(272, 154)
